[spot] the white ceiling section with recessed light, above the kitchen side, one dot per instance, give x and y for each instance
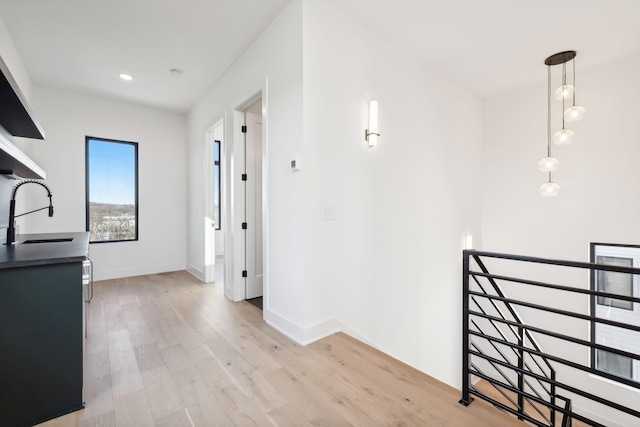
(83, 45)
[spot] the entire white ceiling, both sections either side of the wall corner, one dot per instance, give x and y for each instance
(486, 46)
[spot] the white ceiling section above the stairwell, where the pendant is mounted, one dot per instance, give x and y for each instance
(490, 46)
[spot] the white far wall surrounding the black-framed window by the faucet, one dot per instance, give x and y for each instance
(67, 118)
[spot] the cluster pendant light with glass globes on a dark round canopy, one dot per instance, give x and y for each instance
(566, 92)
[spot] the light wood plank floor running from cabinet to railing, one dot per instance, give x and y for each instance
(167, 350)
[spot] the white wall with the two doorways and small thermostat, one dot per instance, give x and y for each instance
(274, 64)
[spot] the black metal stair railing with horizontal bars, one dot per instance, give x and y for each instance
(501, 349)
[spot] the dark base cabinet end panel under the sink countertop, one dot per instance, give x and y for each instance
(41, 342)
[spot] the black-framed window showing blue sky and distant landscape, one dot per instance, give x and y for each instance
(111, 190)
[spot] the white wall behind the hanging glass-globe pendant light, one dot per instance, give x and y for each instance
(598, 176)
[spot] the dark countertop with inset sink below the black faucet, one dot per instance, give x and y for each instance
(32, 254)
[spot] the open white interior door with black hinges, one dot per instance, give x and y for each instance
(253, 203)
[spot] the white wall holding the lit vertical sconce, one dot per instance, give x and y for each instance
(387, 269)
